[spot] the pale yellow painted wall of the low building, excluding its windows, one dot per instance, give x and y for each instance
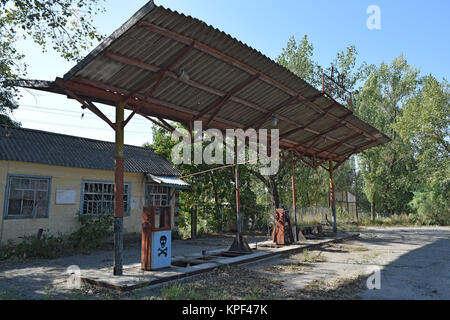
(63, 217)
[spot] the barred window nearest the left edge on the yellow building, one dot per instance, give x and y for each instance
(28, 197)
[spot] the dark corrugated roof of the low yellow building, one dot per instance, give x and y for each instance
(27, 145)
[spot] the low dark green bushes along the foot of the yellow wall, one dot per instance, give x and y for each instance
(93, 232)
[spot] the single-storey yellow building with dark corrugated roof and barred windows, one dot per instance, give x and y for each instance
(48, 179)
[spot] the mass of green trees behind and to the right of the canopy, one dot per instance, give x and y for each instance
(397, 178)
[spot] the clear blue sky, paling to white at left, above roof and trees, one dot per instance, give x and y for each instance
(418, 29)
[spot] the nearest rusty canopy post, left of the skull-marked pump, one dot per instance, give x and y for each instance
(118, 190)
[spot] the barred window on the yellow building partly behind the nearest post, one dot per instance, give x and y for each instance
(98, 198)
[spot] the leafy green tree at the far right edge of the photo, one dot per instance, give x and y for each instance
(425, 124)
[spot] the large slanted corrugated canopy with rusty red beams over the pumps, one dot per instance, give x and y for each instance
(167, 65)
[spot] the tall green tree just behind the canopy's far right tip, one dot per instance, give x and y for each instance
(388, 171)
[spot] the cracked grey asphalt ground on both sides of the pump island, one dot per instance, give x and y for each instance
(414, 263)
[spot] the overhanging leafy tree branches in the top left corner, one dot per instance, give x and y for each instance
(64, 25)
